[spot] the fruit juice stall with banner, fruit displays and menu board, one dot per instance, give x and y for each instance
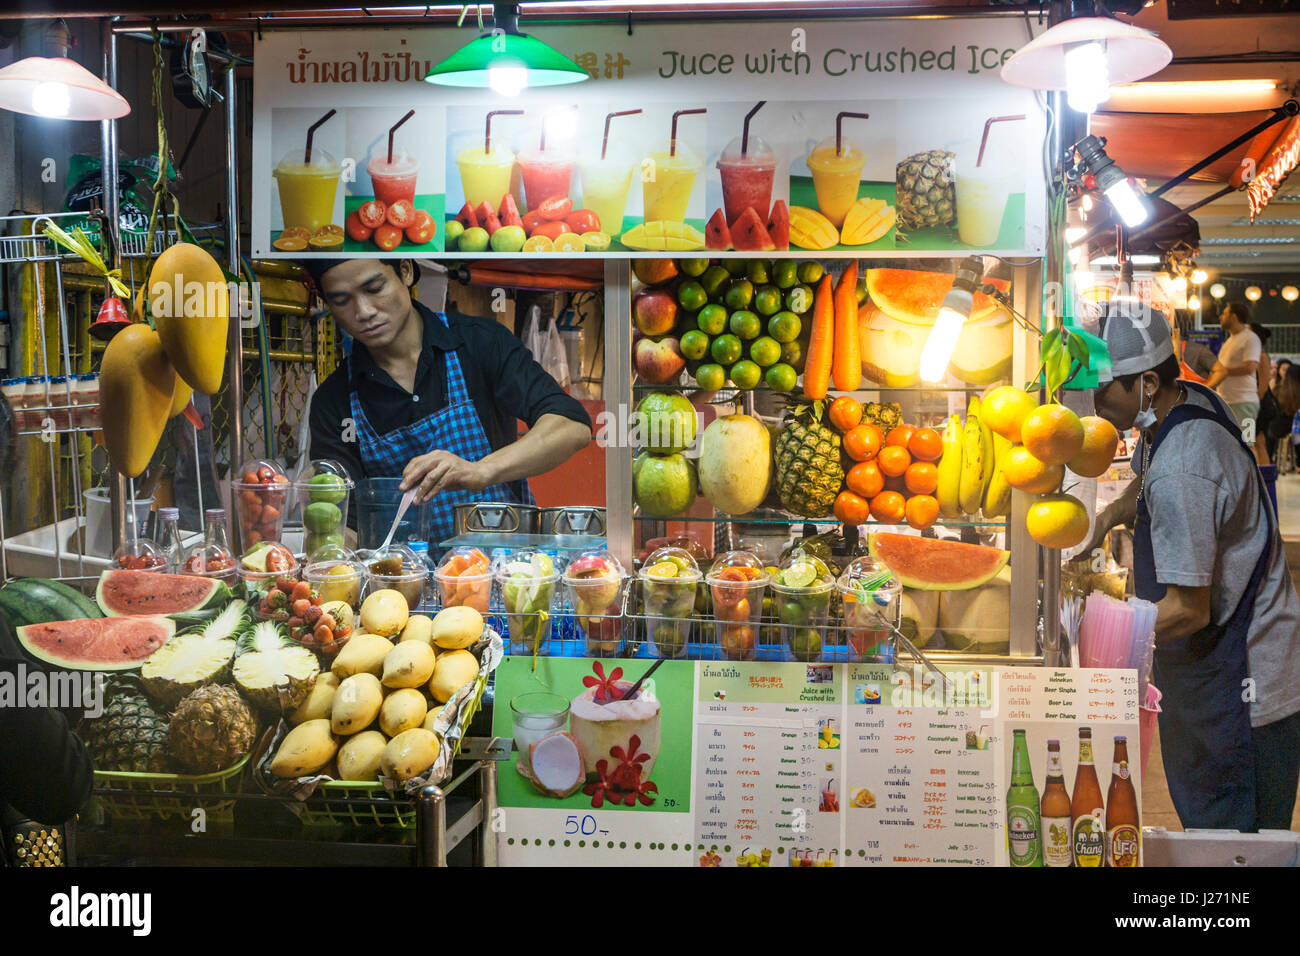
(834, 453)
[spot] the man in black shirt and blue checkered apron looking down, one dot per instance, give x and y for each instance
(435, 399)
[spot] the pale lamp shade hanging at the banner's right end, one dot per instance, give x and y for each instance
(1132, 54)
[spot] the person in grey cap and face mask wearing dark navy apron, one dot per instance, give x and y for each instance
(1207, 552)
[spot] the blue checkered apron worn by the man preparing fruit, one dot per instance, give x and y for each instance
(456, 429)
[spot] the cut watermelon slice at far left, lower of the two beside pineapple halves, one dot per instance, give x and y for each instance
(98, 644)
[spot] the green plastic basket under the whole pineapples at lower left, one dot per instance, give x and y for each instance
(164, 797)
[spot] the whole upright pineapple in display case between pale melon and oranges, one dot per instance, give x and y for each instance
(809, 474)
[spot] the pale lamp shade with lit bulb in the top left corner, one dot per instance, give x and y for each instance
(59, 88)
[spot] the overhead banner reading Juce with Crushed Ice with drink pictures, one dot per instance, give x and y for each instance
(840, 137)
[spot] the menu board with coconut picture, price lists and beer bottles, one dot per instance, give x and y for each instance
(825, 765)
